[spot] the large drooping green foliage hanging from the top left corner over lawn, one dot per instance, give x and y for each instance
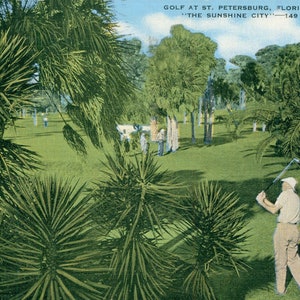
(78, 55)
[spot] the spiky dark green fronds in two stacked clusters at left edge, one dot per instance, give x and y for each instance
(16, 71)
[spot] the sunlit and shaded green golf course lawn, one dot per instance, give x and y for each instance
(231, 163)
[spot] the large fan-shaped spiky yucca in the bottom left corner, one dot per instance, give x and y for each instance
(49, 250)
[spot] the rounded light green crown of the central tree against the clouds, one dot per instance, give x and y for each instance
(178, 70)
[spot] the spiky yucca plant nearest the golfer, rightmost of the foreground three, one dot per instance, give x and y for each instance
(214, 225)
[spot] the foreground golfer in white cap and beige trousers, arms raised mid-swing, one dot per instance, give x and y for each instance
(287, 235)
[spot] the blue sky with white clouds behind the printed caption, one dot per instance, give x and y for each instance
(238, 27)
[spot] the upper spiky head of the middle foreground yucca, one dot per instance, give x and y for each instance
(135, 187)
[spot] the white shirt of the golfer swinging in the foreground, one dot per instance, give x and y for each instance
(289, 203)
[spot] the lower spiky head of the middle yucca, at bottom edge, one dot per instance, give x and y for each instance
(141, 272)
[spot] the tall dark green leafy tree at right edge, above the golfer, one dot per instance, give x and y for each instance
(283, 115)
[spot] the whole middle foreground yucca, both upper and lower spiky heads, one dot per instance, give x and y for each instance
(137, 203)
